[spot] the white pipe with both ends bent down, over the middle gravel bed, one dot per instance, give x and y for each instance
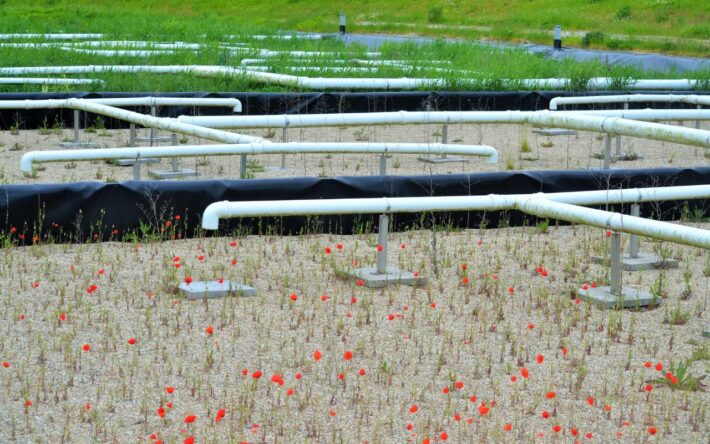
(28, 159)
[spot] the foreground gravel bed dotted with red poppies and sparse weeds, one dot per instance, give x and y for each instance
(447, 362)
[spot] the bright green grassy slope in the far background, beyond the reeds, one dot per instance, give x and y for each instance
(649, 24)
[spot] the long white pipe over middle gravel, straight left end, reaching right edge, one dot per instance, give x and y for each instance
(558, 119)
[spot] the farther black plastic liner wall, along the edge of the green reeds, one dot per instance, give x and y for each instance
(312, 103)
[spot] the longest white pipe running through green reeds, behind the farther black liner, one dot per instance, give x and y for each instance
(336, 83)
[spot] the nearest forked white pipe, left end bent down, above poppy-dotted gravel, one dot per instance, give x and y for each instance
(545, 205)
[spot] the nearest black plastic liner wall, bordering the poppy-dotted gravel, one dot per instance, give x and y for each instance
(76, 212)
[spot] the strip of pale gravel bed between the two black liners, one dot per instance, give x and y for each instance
(559, 152)
